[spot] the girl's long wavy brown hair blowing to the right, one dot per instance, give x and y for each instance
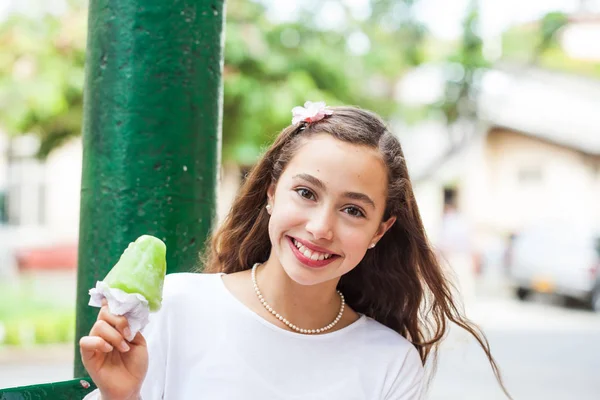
(399, 283)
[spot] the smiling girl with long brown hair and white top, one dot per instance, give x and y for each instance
(320, 283)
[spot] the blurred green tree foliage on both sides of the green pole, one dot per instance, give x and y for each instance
(269, 68)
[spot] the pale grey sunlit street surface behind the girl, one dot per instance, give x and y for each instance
(544, 351)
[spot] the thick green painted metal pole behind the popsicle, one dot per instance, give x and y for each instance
(151, 135)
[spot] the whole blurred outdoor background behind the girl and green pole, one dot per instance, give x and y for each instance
(497, 105)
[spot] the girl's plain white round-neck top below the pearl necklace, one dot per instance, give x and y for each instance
(205, 344)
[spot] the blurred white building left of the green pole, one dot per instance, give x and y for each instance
(40, 205)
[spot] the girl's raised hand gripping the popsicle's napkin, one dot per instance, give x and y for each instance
(116, 366)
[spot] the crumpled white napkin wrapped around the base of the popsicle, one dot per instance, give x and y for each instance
(133, 306)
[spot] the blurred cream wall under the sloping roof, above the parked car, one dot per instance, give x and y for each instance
(530, 181)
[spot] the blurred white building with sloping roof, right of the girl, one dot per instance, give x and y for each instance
(534, 158)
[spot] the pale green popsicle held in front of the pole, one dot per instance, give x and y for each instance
(141, 269)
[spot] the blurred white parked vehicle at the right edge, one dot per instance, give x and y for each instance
(556, 259)
